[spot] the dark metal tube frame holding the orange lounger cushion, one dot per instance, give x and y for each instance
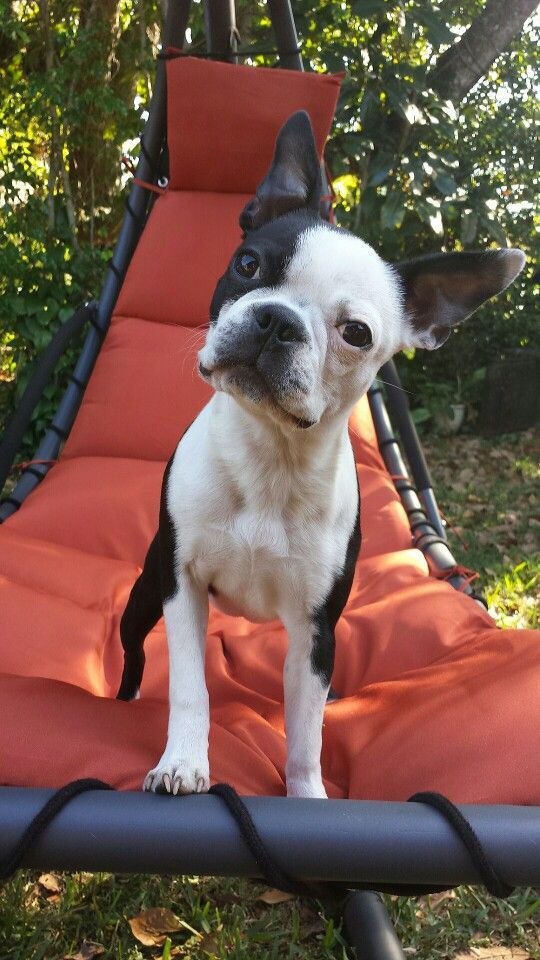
(350, 841)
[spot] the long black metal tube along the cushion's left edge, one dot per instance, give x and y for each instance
(137, 206)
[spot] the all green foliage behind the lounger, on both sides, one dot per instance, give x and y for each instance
(412, 173)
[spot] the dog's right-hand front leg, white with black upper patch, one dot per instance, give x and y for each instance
(308, 670)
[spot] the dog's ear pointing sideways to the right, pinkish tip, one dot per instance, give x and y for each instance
(443, 289)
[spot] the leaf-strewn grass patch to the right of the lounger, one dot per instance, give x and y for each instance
(488, 491)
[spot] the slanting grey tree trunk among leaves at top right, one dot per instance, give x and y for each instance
(460, 67)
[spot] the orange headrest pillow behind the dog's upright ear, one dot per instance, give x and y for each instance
(226, 143)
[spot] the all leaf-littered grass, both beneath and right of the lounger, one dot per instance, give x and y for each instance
(488, 490)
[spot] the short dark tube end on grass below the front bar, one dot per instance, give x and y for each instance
(368, 928)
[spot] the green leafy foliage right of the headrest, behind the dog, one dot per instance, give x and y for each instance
(414, 174)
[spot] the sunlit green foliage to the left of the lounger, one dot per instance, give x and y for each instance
(73, 77)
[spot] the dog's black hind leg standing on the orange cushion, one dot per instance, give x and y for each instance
(143, 610)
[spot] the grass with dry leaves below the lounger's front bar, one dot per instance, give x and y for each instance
(225, 919)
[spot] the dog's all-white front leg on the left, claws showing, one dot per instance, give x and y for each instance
(183, 767)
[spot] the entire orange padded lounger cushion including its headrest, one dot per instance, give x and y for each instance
(433, 695)
